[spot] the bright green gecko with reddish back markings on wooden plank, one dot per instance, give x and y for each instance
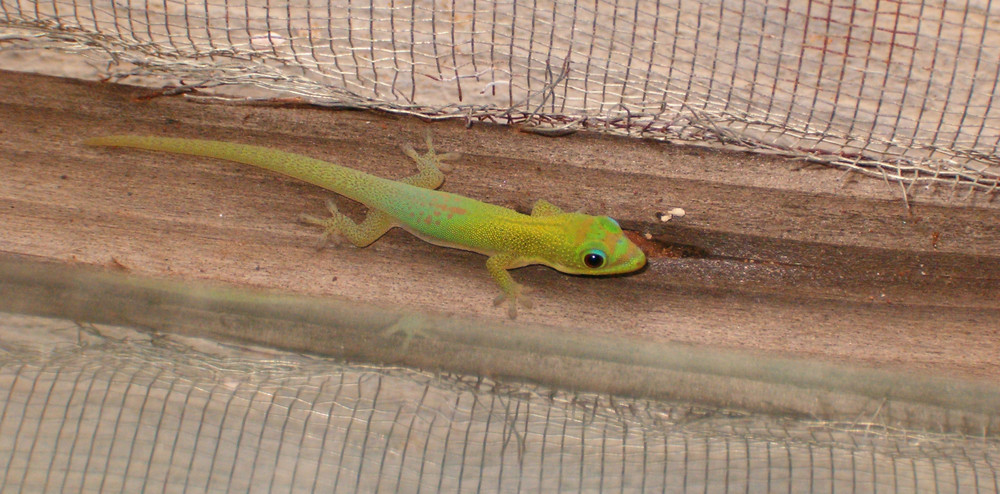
(573, 243)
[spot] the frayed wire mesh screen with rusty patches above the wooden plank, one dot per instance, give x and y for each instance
(900, 90)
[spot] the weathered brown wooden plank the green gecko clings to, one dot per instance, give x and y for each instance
(782, 260)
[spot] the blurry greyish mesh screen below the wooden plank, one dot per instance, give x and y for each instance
(102, 409)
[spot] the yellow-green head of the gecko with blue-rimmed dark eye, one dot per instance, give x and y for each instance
(600, 248)
